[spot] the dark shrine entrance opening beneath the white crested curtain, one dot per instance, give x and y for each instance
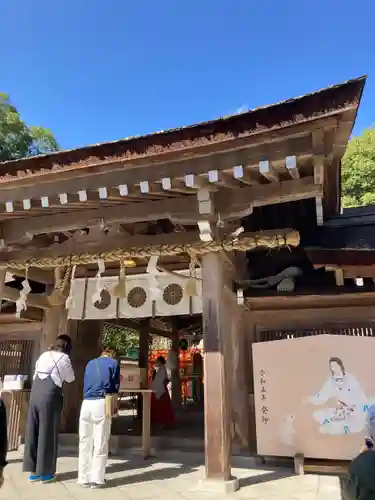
(185, 388)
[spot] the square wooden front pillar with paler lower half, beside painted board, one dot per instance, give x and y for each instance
(216, 313)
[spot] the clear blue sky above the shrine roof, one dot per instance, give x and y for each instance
(95, 71)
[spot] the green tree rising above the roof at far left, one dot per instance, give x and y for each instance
(17, 140)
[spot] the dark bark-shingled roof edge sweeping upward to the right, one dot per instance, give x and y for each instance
(271, 117)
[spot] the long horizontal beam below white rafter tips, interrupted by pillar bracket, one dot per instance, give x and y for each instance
(185, 211)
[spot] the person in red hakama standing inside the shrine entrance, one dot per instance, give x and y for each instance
(161, 406)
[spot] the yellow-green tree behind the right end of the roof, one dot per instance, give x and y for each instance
(358, 171)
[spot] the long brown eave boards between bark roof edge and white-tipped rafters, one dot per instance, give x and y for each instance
(171, 164)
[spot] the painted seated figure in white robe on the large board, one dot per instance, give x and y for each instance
(349, 413)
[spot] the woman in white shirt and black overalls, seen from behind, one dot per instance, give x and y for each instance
(53, 368)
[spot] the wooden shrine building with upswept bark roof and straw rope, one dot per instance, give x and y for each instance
(247, 206)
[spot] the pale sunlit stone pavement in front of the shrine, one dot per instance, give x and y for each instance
(170, 476)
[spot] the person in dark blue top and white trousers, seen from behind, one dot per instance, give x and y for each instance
(101, 387)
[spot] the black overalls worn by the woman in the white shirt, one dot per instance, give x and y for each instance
(43, 425)
